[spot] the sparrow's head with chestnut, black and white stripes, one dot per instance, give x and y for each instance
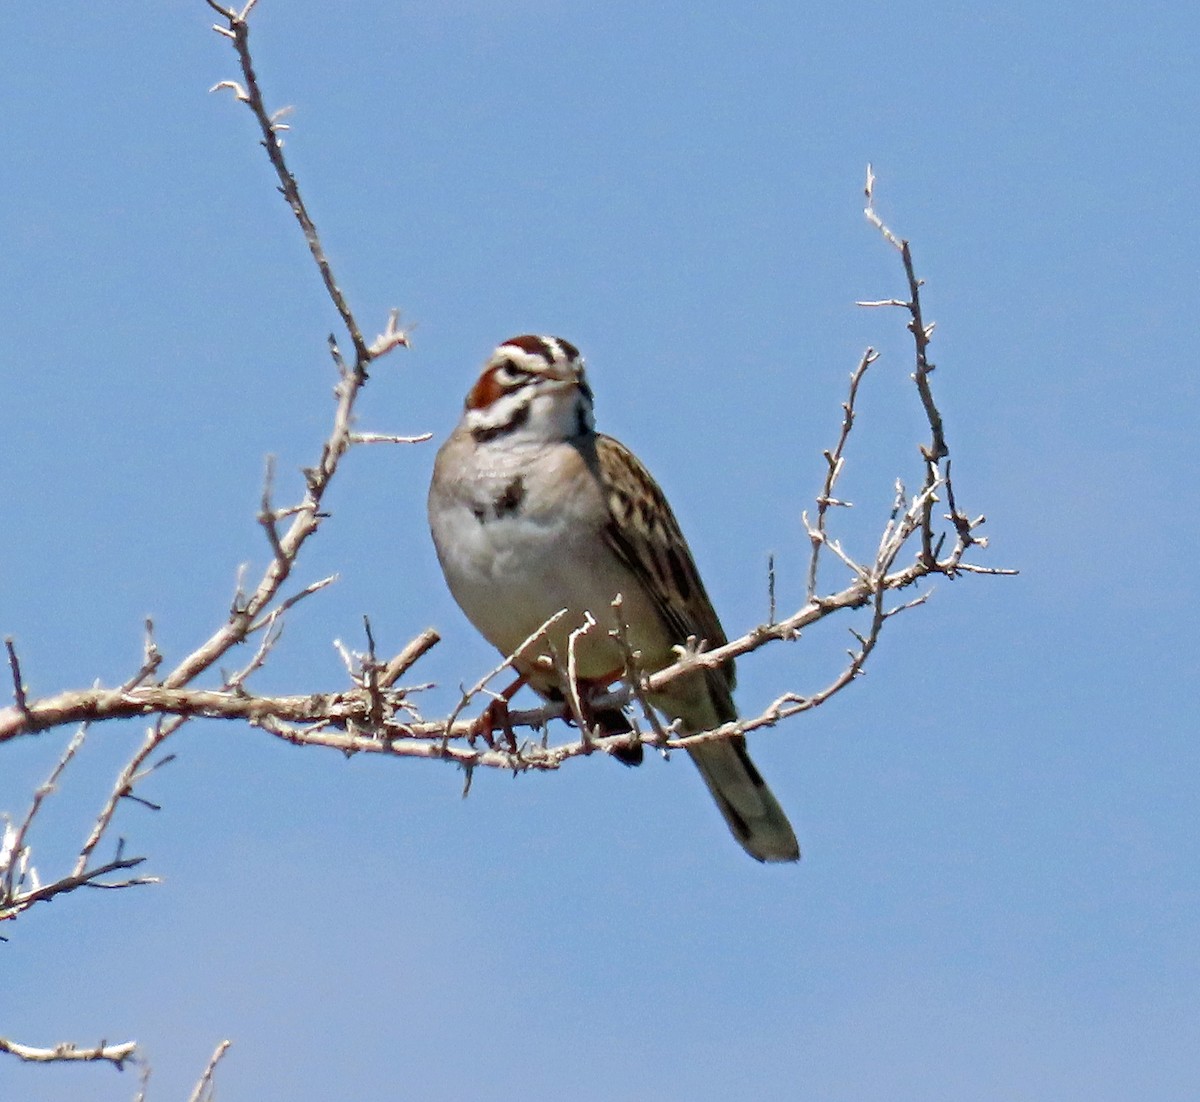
(533, 386)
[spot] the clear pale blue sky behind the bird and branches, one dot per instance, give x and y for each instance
(1000, 896)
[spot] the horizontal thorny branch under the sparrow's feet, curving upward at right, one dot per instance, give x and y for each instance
(381, 718)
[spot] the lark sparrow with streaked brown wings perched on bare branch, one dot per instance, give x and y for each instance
(532, 512)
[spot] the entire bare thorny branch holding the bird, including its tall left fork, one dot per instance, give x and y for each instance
(376, 714)
